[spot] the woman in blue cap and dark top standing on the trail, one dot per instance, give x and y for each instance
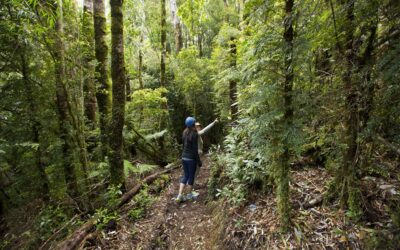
(190, 158)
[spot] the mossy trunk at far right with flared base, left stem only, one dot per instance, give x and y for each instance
(346, 183)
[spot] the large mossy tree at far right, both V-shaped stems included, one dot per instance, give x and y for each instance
(358, 91)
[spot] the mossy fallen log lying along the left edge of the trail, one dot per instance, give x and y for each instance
(78, 236)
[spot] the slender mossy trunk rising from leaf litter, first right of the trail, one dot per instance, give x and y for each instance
(284, 168)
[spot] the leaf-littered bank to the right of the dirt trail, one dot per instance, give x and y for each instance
(256, 224)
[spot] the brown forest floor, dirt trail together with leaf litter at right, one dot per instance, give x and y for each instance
(255, 224)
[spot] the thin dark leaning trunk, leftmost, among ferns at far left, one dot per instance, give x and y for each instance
(44, 189)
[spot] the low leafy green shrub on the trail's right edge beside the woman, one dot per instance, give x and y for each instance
(244, 167)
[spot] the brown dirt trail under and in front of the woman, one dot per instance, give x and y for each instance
(169, 225)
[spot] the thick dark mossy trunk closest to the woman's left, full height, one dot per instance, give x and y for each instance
(118, 94)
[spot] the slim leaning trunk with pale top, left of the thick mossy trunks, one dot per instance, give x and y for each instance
(62, 105)
